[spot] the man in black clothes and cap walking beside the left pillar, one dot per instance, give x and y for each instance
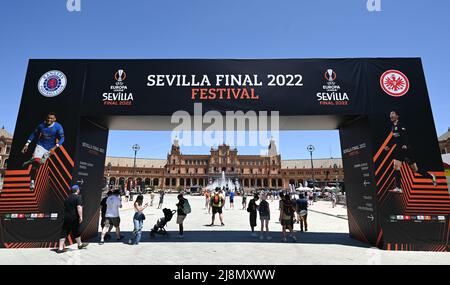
(73, 217)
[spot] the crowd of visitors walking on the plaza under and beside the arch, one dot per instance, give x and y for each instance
(292, 207)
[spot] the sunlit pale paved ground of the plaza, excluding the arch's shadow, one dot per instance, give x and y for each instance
(326, 242)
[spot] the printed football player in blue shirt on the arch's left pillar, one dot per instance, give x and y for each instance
(48, 135)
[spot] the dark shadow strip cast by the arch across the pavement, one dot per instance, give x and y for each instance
(240, 237)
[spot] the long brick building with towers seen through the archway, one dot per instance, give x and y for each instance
(251, 171)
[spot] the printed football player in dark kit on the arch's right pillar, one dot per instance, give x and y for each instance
(402, 152)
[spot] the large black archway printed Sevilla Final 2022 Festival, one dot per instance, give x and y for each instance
(355, 96)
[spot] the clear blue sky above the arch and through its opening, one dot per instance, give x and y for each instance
(224, 29)
